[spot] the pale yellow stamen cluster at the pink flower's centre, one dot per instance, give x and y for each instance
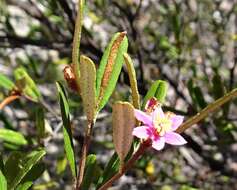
(162, 125)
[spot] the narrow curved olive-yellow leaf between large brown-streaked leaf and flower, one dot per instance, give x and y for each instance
(132, 80)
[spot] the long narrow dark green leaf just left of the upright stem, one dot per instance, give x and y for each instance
(67, 133)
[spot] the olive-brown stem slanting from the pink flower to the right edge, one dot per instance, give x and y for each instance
(207, 110)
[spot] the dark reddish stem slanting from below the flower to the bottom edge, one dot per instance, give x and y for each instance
(127, 166)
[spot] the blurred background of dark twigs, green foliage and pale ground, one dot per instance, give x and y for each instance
(192, 44)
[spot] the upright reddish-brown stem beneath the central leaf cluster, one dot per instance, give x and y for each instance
(82, 163)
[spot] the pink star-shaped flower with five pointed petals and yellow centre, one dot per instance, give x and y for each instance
(159, 127)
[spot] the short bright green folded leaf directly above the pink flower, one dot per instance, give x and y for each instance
(158, 90)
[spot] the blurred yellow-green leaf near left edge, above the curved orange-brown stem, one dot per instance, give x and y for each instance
(25, 83)
